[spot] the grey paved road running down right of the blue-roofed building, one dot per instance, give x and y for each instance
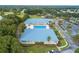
(72, 45)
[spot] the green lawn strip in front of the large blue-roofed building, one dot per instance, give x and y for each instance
(40, 48)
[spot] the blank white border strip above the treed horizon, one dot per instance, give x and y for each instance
(39, 2)
